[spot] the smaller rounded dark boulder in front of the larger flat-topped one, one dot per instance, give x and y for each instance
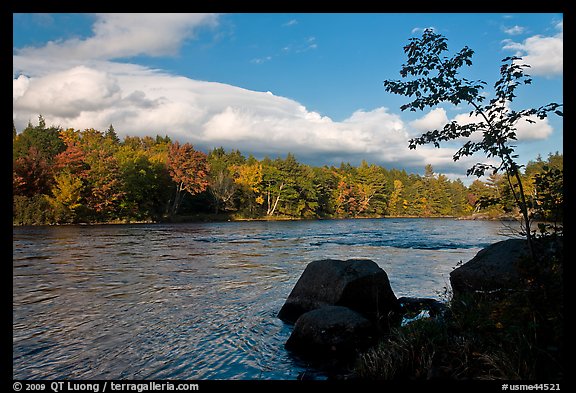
(331, 332)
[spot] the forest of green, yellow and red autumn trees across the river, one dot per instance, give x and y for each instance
(62, 176)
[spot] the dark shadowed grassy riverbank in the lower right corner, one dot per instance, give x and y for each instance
(498, 335)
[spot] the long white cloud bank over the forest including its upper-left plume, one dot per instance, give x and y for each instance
(80, 83)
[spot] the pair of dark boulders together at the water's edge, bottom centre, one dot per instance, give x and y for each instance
(338, 307)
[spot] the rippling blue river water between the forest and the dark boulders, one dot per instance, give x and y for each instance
(199, 300)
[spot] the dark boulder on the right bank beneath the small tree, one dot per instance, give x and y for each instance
(494, 268)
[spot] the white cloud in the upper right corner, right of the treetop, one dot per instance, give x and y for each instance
(544, 54)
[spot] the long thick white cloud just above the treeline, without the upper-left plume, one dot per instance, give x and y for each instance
(140, 101)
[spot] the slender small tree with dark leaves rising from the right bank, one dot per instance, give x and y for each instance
(434, 79)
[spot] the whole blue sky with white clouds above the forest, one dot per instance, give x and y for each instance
(310, 84)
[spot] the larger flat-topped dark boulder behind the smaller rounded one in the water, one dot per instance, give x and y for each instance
(358, 284)
